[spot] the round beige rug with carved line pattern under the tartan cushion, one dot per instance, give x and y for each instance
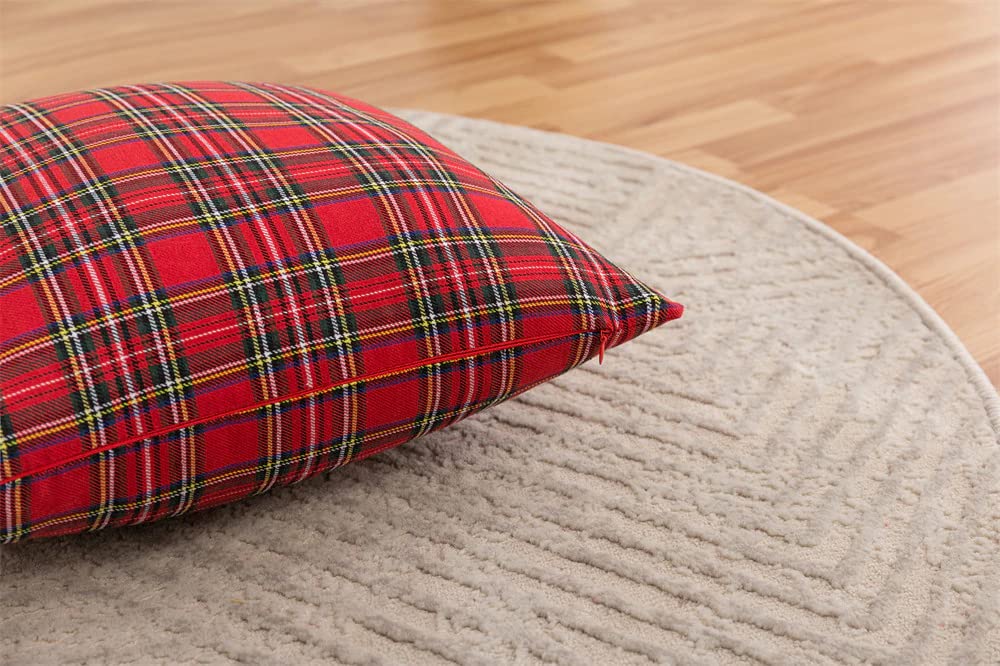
(805, 469)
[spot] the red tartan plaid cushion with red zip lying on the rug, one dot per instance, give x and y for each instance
(211, 289)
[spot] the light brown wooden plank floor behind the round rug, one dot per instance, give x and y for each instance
(880, 118)
